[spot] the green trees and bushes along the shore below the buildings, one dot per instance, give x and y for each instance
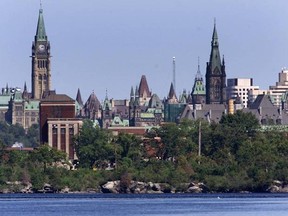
(235, 155)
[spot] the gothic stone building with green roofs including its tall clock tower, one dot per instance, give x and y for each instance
(23, 107)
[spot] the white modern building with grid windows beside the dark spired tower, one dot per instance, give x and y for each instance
(240, 87)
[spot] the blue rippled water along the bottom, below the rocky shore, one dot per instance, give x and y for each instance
(171, 205)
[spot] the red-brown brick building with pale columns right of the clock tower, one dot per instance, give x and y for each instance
(58, 124)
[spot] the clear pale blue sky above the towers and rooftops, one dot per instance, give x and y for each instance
(108, 44)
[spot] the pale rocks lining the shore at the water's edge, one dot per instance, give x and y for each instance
(134, 187)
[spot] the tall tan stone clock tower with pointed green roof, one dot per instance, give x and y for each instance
(41, 68)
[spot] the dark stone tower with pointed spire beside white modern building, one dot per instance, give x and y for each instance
(215, 74)
